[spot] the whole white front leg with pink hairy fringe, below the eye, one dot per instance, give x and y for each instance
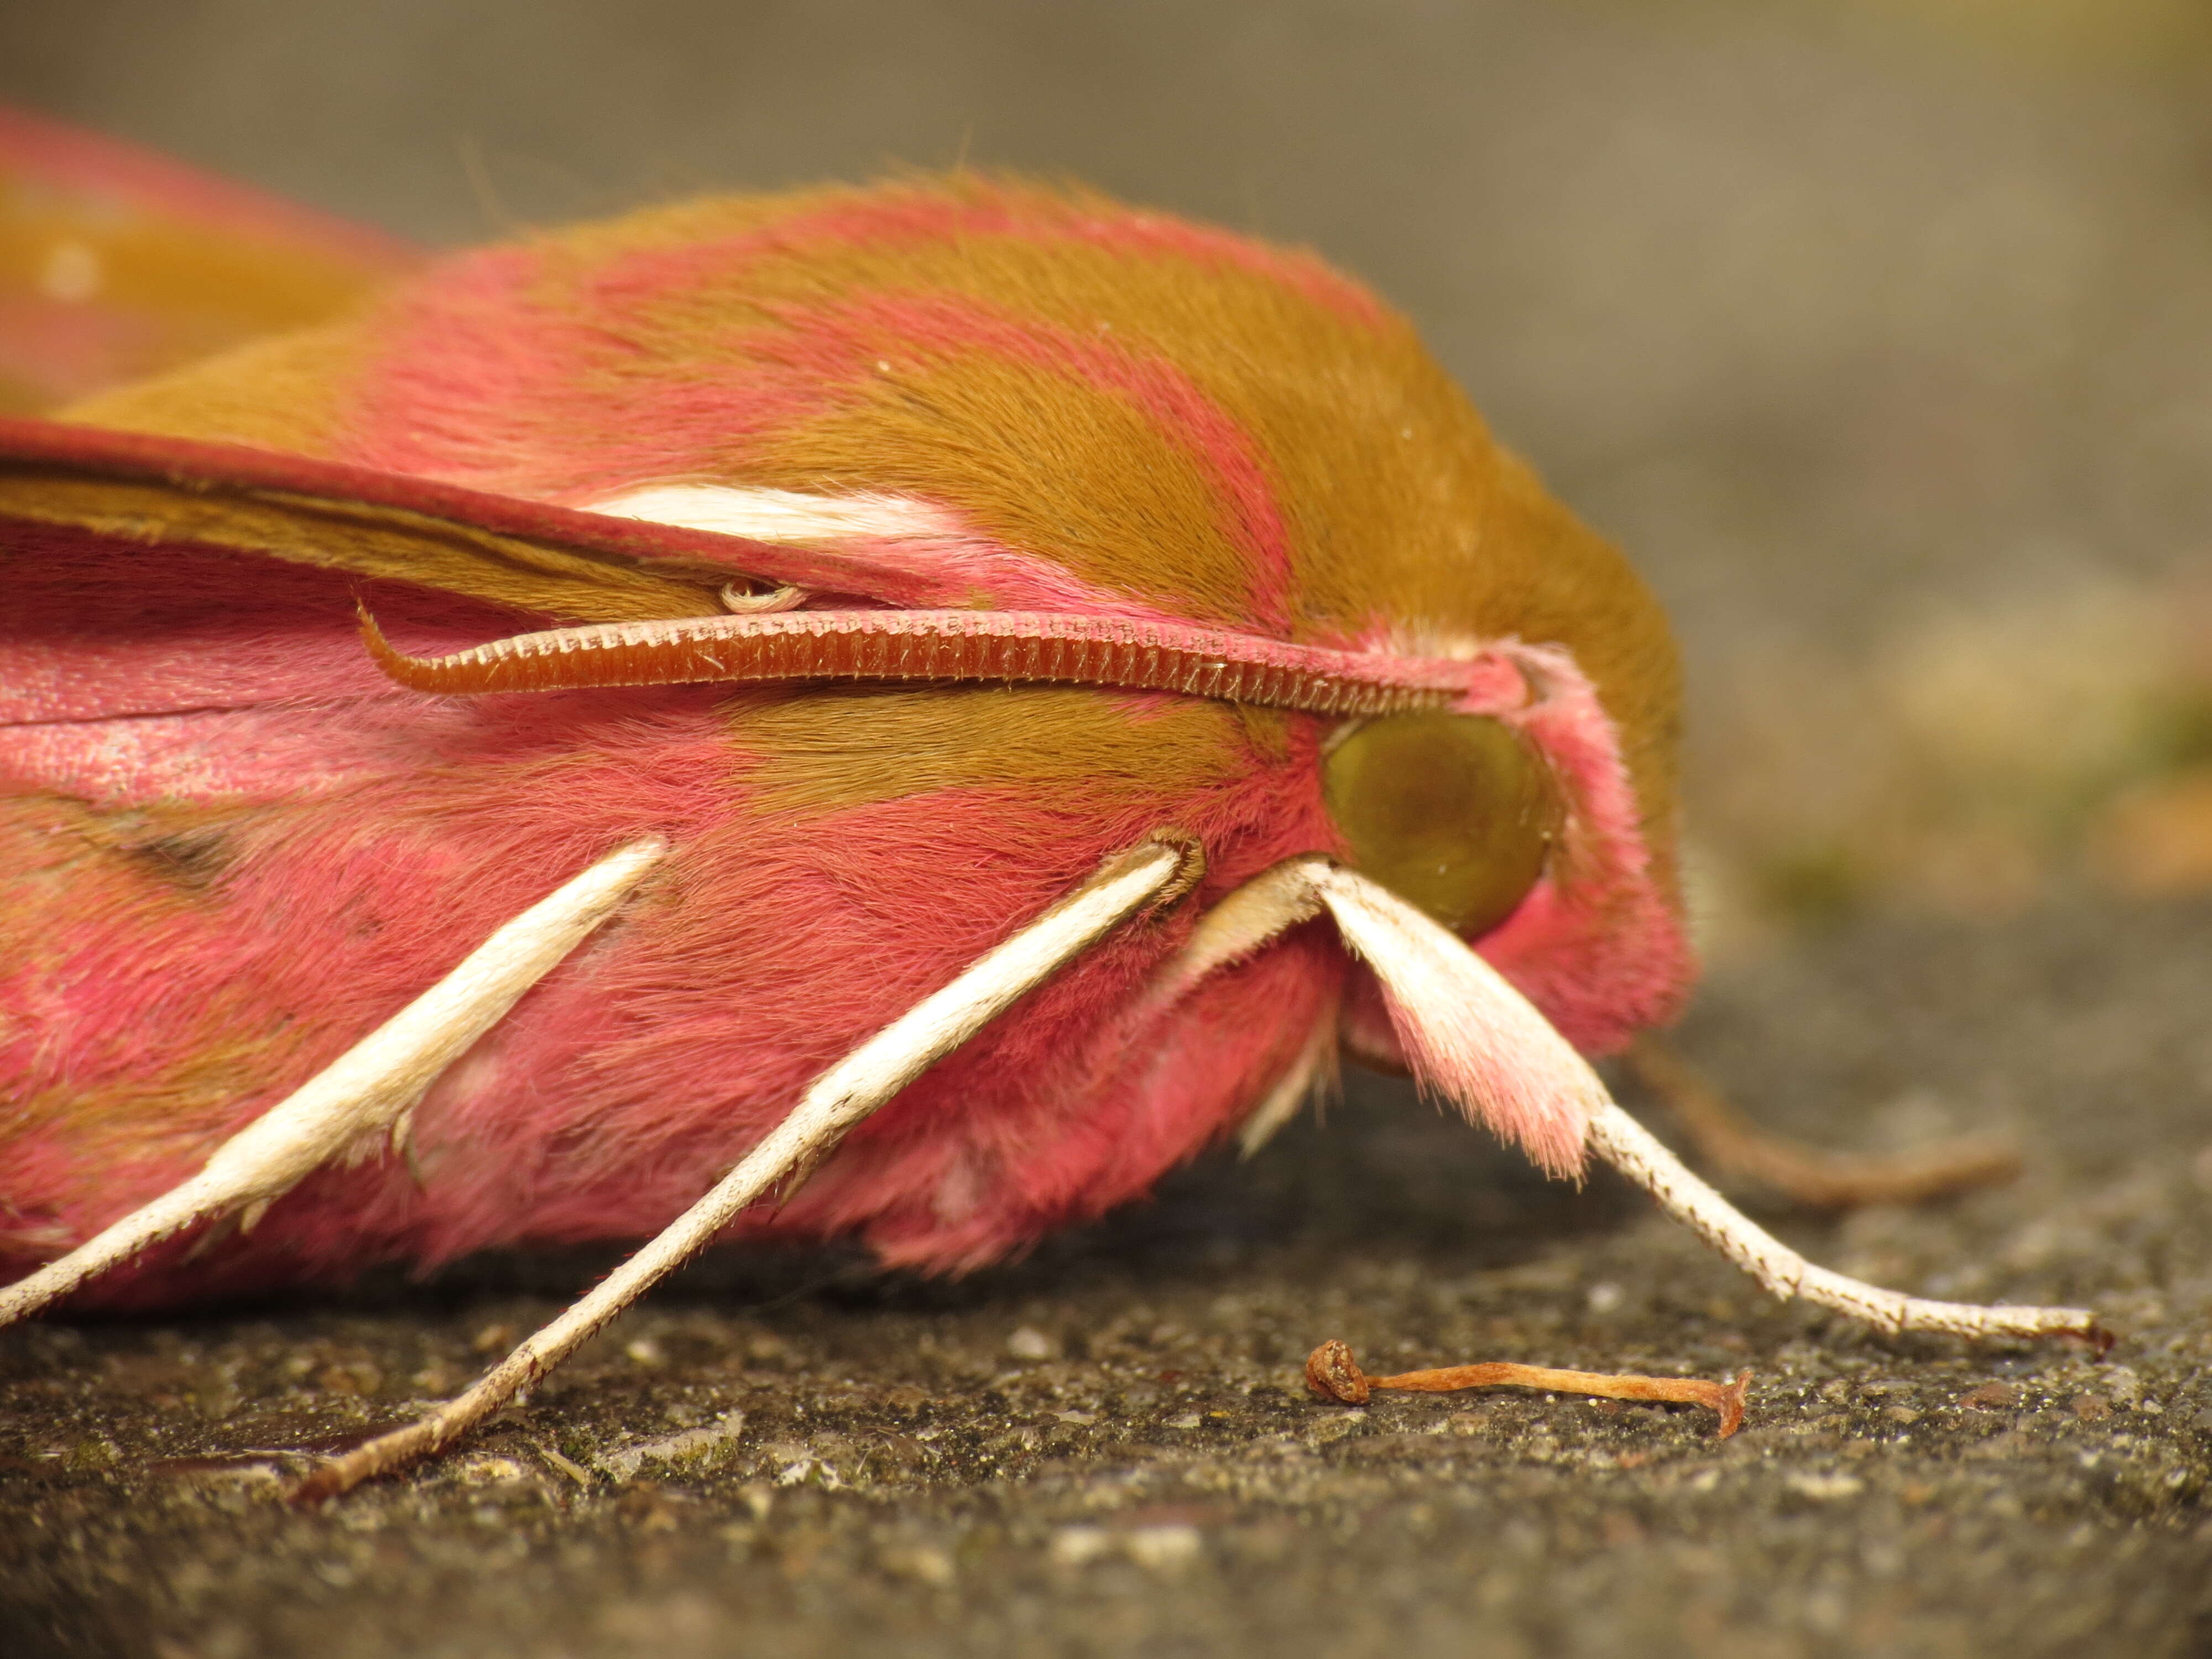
(1446, 1003)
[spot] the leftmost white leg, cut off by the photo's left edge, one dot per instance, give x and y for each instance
(368, 1092)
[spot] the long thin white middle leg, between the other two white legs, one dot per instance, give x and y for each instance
(833, 1105)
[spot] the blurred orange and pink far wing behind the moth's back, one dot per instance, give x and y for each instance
(118, 264)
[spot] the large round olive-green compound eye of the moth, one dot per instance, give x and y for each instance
(1452, 813)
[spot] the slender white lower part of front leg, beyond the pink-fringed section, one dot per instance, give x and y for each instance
(1638, 1154)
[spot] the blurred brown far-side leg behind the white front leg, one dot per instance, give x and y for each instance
(1811, 1176)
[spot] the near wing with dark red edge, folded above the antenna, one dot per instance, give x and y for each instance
(145, 574)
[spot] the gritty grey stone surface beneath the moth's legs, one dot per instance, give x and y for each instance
(1107, 1450)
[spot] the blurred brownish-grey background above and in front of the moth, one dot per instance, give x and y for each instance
(1879, 331)
